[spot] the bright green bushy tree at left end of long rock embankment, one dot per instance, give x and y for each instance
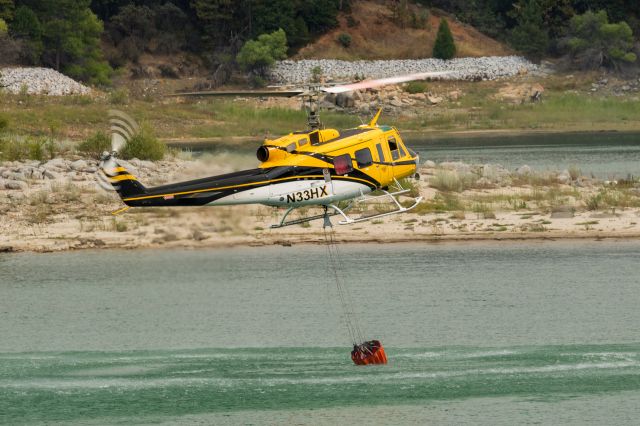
(258, 55)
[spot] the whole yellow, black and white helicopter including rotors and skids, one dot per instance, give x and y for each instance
(315, 167)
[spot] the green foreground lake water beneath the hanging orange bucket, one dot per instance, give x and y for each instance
(482, 333)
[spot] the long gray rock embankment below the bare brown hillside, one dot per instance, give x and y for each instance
(485, 68)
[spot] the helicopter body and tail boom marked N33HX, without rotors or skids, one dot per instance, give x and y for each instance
(305, 168)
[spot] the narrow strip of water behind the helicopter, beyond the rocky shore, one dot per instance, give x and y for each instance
(606, 155)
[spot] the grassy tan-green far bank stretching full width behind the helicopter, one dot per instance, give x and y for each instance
(567, 106)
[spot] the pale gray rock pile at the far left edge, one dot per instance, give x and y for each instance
(39, 81)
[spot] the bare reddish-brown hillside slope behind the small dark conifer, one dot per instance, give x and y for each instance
(376, 36)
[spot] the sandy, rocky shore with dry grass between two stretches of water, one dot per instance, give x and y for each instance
(57, 205)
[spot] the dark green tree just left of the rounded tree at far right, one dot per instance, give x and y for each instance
(530, 35)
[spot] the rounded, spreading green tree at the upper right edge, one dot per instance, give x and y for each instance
(593, 42)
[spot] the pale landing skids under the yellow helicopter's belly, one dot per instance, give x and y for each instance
(347, 219)
